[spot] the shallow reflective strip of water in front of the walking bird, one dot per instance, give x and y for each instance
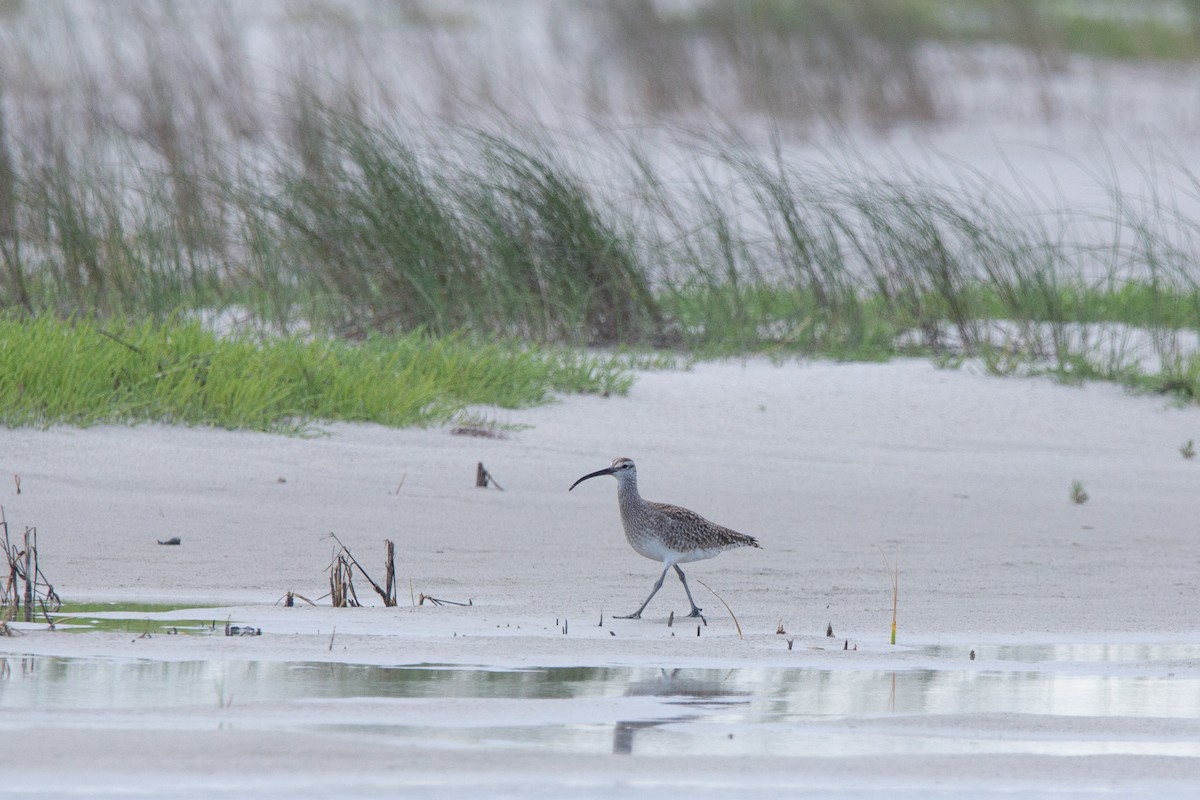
(1081, 706)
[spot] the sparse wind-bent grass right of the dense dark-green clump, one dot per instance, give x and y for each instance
(843, 263)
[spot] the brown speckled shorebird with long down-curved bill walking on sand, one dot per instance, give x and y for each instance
(667, 533)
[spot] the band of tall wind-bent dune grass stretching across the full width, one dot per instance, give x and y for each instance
(501, 236)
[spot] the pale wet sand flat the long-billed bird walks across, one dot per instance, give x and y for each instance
(961, 479)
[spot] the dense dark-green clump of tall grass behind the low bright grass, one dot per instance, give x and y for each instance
(497, 237)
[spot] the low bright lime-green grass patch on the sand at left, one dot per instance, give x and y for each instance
(82, 374)
